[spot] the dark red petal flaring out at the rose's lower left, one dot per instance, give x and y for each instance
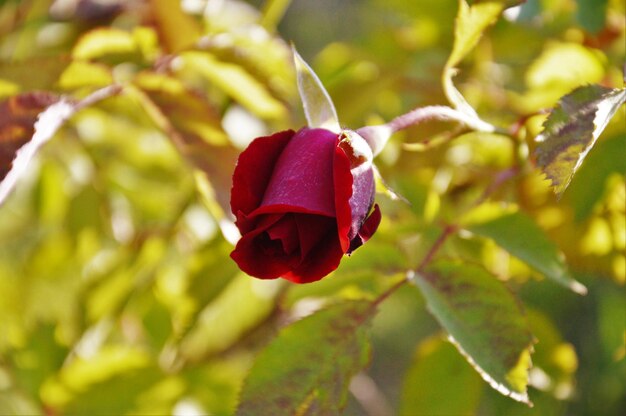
(251, 252)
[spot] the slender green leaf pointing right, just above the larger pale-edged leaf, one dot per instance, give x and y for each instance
(523, 238)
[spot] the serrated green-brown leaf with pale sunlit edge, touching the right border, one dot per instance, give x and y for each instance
(572, 129)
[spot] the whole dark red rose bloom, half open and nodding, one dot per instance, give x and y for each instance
(301, 201)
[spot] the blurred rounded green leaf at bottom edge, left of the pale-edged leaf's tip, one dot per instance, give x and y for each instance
(436, 364)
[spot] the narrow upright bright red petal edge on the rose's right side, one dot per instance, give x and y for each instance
(342, 178)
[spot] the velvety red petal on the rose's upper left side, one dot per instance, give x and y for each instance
(254, 170)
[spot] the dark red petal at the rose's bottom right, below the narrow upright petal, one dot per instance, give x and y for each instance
(320, 261)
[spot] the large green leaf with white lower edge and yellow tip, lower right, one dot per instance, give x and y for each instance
(484, 321)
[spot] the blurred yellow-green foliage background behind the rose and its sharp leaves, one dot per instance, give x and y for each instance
(117, 295)
